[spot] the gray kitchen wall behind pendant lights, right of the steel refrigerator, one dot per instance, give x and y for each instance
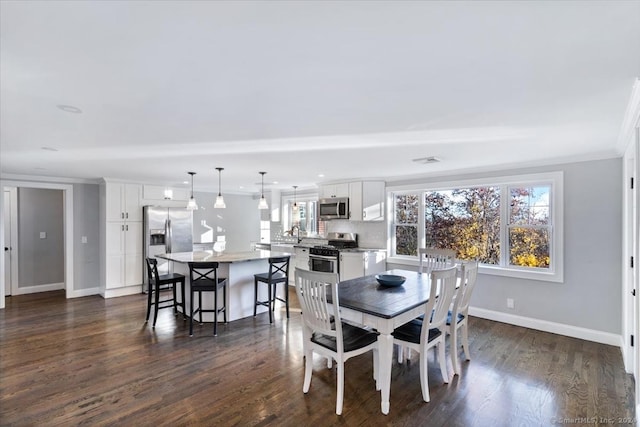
(239, 222)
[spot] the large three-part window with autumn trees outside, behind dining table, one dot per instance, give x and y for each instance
(512, 225)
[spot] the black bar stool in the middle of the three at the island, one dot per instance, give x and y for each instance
(204, 278)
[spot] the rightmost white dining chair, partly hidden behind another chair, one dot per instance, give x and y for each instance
(458, 315)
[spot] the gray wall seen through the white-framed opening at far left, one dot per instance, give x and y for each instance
(40, 261)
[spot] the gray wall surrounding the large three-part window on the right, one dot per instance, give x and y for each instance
(590, 296)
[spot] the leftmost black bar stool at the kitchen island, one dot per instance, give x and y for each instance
(160, 283)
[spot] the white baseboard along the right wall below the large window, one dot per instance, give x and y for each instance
(546, 326)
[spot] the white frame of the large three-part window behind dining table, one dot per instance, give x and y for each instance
(555, 272)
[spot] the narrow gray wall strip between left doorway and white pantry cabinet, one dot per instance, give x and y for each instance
(86, 256)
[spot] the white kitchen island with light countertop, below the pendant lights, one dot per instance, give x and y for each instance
(238, 268)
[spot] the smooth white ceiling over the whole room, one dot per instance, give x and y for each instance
(347, 89)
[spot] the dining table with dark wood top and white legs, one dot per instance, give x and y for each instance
(366, 302)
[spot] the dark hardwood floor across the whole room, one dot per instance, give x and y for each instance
(90, 361)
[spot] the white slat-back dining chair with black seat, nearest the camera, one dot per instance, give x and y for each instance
(324, 332)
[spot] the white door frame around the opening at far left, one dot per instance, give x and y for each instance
(67, 194)
